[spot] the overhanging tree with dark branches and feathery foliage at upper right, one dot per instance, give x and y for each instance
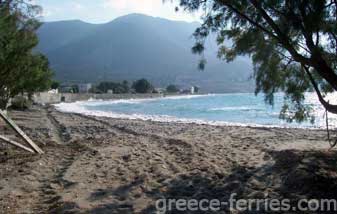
(293, 45)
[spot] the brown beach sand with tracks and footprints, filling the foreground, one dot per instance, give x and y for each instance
(105, 165)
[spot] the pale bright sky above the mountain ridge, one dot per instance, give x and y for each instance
(102, 11)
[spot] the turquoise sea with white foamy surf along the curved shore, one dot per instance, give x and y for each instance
(215, 109)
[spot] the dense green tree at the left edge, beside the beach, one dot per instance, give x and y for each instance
(22, 71)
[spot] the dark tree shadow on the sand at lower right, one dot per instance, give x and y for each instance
(291, 174)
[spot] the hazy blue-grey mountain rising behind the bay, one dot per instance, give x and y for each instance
(138, 46)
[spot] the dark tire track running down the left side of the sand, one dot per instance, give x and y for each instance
(54, 184)
